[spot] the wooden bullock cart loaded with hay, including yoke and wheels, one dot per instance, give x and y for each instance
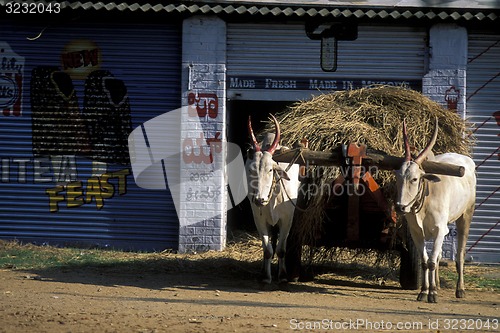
(347, 191)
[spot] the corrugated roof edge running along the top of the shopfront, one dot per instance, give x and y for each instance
(404, 9)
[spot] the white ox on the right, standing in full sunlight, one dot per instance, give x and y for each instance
(430, 203)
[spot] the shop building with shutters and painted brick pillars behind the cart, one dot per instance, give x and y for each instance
(238, 58)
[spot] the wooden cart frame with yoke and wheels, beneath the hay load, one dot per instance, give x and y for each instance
(357, 215)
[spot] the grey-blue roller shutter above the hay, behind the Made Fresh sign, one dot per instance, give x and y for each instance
(380, 54)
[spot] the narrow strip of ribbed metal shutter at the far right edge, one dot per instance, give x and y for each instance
(483, 110)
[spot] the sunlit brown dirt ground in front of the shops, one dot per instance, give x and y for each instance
(194, 293)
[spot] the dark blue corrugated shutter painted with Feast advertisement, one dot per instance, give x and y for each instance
(65, 176)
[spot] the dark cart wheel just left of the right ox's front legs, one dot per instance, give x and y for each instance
(410, 274)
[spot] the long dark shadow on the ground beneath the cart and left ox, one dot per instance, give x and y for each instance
(225, 274)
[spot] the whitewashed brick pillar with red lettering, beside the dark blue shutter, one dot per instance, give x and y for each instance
(203, 89)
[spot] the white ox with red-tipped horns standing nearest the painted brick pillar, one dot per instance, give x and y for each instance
(272, 191)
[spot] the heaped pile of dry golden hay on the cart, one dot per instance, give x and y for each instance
(372, 116)
